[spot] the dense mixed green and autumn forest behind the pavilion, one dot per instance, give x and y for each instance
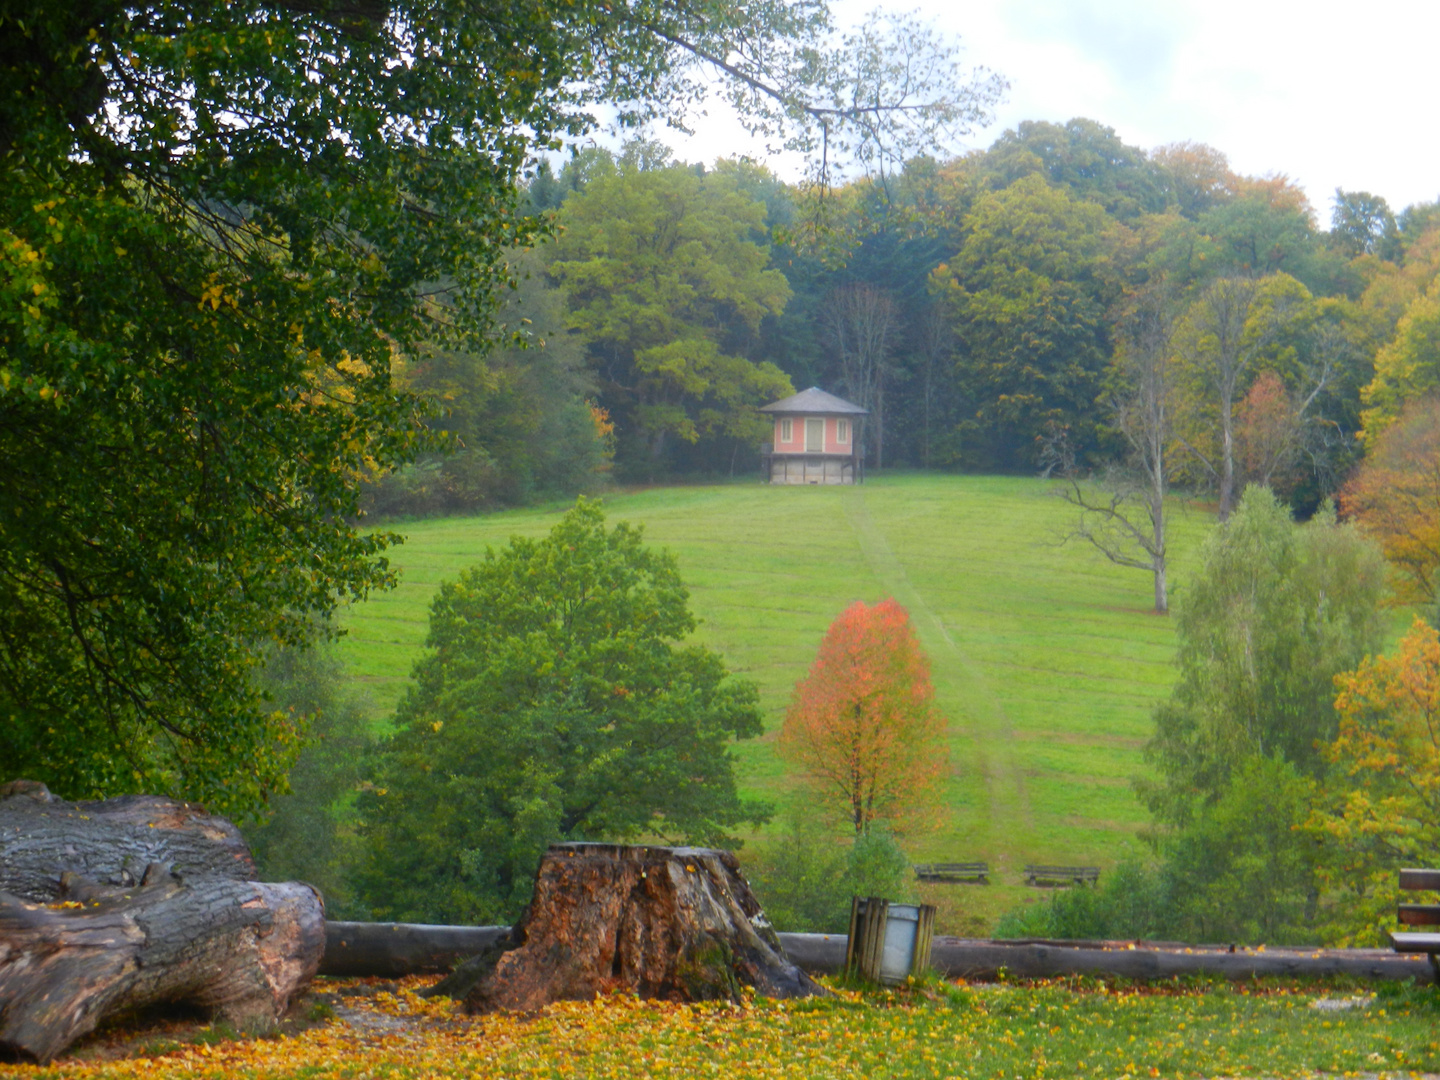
(983, 309)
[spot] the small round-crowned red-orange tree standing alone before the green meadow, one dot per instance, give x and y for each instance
(863, 728)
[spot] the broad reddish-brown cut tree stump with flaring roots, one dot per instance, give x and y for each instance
(673, 924)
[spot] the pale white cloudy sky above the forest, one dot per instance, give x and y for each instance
(1333, 96)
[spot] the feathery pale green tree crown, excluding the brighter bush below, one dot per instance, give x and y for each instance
(1274, 616)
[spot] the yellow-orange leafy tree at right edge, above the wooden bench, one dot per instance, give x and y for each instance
(1383, 809)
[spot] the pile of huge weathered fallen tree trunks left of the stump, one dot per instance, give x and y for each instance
(97, 935)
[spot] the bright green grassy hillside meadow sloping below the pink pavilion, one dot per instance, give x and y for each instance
(1046, 659)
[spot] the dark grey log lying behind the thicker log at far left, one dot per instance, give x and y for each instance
(112, 842)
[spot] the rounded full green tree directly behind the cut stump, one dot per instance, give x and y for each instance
(558, 703)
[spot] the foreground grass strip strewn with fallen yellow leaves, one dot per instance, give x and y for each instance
(1002, 1032)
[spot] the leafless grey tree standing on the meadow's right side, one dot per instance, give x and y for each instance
(1122, 509)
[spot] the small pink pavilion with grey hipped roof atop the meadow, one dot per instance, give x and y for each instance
(817, 440)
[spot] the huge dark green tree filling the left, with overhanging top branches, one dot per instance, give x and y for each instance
(222, 221)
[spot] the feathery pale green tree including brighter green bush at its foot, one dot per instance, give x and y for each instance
(1277, 611)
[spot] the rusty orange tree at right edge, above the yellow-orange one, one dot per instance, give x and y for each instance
(1396, 499)
